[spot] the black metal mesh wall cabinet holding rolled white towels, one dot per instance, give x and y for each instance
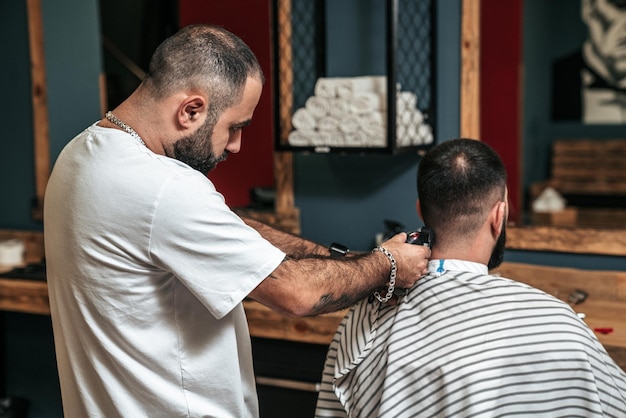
(318, 108)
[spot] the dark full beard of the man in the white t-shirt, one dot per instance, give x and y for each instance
(196, 150)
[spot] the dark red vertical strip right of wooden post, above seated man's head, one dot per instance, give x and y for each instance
(500, 89)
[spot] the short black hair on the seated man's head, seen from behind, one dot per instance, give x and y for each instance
(458, 182)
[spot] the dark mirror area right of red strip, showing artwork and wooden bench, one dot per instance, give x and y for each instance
(573, 118)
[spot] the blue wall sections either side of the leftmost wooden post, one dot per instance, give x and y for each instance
(72, 58)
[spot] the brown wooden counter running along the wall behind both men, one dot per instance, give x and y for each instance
(604, 309)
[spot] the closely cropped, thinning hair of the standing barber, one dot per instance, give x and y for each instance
(204, 57)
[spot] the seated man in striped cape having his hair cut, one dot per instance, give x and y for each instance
(462, 342)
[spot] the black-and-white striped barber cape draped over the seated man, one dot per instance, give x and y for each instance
(463, 343)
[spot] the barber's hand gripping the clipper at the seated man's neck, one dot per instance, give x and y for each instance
(411, 260)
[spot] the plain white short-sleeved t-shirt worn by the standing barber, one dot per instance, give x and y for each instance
(147, 268)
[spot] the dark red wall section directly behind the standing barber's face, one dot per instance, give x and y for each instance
(253, 165)
